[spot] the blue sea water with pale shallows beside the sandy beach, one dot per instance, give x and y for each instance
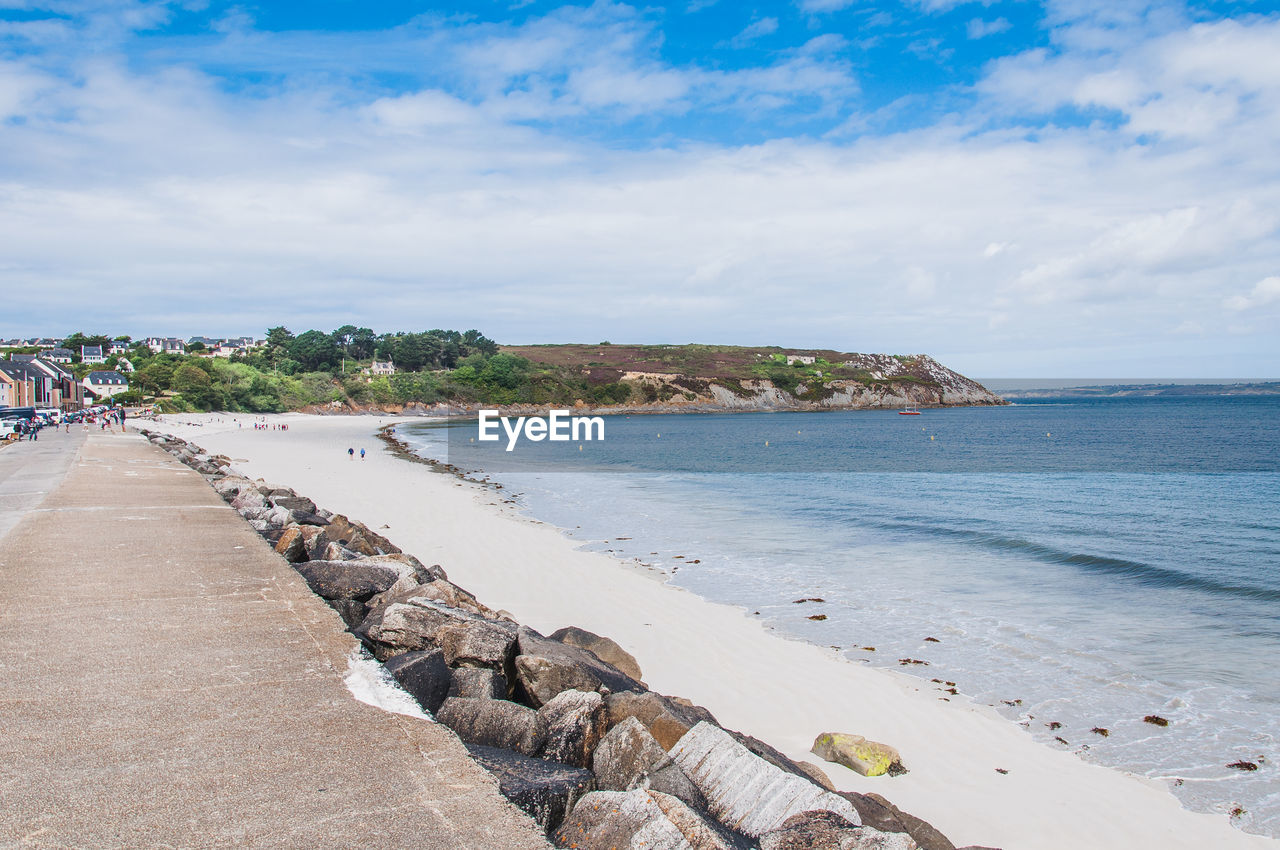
(1080, 565)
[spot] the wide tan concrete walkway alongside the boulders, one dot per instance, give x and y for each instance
(167, 680)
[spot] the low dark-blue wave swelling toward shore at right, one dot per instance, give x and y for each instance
(1146, 574)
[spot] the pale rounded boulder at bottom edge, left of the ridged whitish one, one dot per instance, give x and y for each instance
(637, 820)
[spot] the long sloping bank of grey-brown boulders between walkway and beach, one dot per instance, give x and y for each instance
(564, 723)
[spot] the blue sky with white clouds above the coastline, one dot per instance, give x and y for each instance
(1018, 189)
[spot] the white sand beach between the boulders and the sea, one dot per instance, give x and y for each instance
(975, 775)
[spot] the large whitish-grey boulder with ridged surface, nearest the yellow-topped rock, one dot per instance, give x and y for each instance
(744, 792)
